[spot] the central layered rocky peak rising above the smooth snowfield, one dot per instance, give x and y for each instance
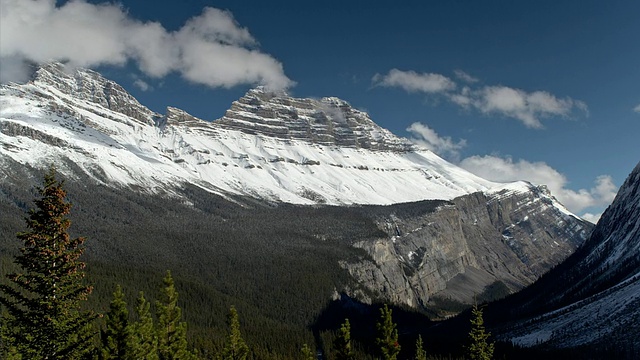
(328, 121)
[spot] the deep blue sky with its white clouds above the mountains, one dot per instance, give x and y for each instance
(546, 91)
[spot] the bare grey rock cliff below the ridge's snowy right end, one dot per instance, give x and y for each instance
(463, 246)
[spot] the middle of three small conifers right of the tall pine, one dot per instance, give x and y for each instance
(143, 339)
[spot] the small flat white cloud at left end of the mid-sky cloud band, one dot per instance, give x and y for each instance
(412, 81)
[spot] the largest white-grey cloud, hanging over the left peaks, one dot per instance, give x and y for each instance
(210, 49)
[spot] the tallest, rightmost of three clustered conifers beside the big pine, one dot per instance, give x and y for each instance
(172, 333)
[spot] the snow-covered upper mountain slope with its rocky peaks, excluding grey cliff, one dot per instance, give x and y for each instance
(269, 146)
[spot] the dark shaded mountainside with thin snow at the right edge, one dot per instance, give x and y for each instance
(594, 296)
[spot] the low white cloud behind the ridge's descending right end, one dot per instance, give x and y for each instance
(505, 169)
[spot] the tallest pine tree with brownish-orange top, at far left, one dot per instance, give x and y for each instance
(44, 317)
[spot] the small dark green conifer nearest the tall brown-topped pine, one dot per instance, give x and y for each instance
(116, 338)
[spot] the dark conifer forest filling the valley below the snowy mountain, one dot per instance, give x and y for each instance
(62, 300)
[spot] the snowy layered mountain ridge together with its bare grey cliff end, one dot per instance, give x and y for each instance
(275, 148)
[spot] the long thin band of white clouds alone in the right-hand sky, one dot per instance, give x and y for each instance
(527, 107)
